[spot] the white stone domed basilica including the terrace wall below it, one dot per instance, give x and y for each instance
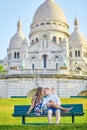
(52, 58)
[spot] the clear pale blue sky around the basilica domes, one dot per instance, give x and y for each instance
(12, 10)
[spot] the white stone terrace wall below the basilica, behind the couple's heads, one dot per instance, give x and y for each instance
(22, 85)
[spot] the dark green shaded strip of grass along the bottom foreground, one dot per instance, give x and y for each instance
(48, 127)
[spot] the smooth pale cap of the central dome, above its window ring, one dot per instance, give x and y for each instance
(49, 10)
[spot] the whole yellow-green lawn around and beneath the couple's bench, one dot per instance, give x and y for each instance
(8, 122)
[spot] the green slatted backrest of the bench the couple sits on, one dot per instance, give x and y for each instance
(22, 109)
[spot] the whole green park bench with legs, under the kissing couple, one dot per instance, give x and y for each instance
(21, 110)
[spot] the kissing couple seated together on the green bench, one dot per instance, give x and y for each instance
(45, 101)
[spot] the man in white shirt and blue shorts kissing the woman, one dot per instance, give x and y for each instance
(53, 103)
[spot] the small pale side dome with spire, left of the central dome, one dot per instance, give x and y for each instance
(19, 38)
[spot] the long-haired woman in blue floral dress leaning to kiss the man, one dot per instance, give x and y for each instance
(37, 101)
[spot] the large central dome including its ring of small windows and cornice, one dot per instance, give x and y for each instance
(50, 18)
